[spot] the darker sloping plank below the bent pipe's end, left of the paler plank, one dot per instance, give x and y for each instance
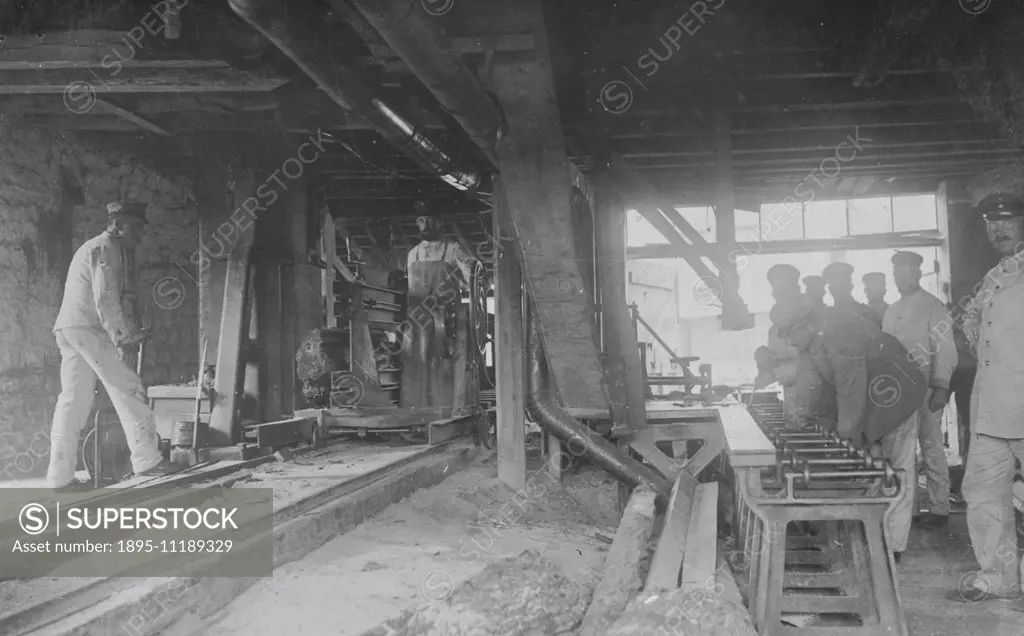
(668, 562)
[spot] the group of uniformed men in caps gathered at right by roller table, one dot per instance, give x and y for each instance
(880, 376)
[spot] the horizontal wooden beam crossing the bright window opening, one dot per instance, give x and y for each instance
(759, 248)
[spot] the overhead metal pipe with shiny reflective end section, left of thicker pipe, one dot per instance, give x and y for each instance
(349, 90)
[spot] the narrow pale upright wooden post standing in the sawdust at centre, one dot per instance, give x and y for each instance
(509, 354)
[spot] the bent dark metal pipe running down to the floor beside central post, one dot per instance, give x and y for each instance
(544, 409)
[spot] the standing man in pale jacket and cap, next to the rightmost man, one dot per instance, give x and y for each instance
(921, 323)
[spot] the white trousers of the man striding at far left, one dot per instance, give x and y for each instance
(86, 355)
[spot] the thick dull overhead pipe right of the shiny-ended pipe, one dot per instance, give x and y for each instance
(414, 35)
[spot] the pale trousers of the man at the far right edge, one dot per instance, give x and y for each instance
(991, 516)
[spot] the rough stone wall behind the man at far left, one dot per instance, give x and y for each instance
(38, 236)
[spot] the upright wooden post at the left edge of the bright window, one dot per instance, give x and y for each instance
(622, 355)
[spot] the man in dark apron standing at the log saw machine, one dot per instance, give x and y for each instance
(439, 271)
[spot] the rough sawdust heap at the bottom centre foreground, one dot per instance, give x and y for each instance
(526, 595)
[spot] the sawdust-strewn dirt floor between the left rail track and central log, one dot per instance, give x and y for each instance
(421, 548)
